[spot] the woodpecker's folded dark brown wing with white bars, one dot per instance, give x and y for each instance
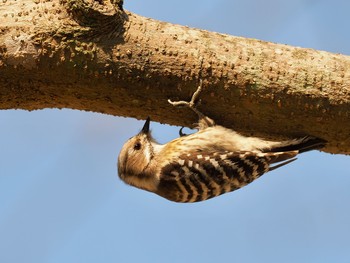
(198, 176)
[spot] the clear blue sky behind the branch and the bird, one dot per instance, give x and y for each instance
(62, 201)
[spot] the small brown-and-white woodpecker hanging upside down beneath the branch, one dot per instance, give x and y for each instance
(208, 163)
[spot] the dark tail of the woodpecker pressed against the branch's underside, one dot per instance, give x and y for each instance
(304, 144)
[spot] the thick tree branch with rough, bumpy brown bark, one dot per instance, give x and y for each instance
(93, 56)
